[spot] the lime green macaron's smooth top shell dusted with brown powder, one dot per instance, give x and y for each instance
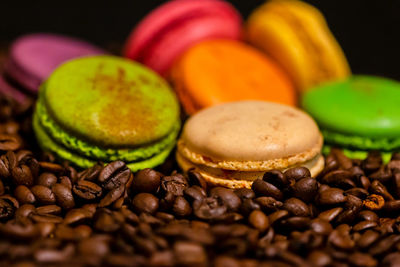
(111, 101)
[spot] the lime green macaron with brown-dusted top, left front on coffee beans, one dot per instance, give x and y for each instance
(105, 108)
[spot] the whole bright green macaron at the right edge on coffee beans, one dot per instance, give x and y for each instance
(359, 114)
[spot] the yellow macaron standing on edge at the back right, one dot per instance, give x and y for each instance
(298, 37)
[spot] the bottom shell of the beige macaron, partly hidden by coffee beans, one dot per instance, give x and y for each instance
(241, 179)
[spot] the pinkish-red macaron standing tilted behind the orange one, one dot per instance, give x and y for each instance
(164, 34)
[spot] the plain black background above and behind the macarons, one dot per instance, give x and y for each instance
(368, 30)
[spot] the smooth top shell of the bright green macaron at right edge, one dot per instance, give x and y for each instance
(360, 106)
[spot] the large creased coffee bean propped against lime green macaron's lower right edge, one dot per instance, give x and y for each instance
(114, 175)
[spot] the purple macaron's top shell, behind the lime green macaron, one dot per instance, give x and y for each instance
(37, 55)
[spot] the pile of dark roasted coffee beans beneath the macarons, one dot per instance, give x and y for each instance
(52, 214)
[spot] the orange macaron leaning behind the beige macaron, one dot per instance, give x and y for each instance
(219, 71)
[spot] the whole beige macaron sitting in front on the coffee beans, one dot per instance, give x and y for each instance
(235, 143)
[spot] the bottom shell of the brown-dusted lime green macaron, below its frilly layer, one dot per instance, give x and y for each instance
(48, 144)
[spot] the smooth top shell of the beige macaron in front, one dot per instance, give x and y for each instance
(251, 131)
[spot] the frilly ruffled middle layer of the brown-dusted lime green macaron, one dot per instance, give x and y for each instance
(86, 149)
